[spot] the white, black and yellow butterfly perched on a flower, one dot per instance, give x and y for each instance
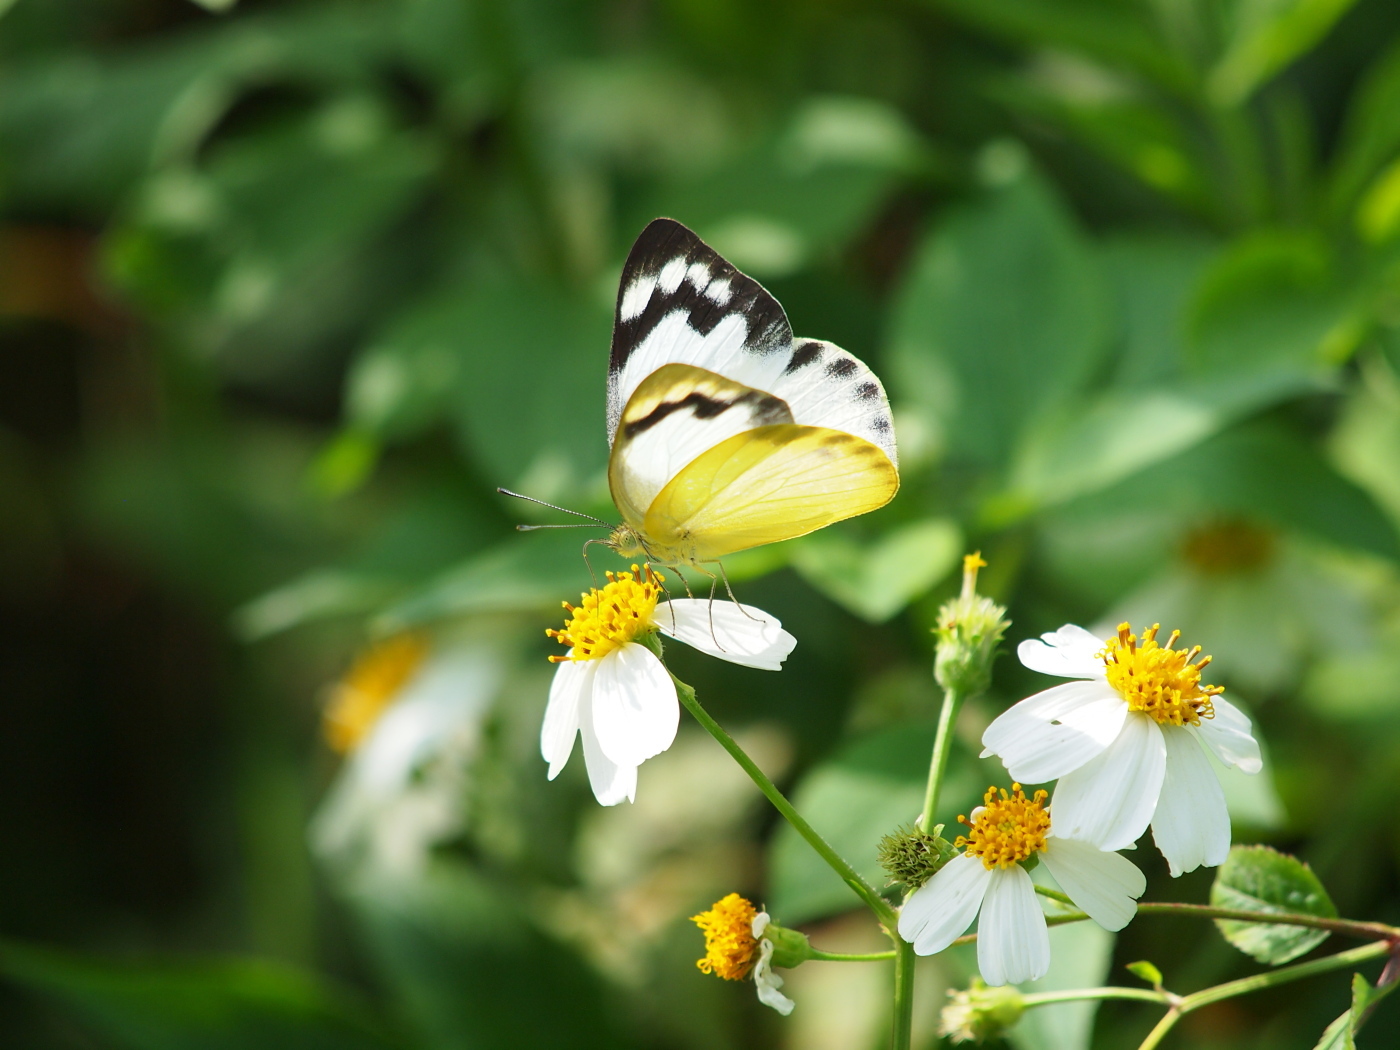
(727, 433)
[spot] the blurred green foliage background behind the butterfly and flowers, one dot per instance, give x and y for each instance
(288, 289)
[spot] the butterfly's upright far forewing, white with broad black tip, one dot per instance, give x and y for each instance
(681, 303)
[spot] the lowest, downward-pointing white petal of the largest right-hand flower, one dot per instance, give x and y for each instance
(1192, 824)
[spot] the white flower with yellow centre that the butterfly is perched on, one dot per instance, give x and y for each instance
(615, 692)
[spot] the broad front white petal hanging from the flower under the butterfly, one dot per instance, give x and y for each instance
(635, 706)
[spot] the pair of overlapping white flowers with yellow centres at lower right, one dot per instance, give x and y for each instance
(1126, 744)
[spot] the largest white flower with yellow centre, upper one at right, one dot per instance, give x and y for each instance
(1126, 743)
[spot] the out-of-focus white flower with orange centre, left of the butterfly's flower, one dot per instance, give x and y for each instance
(409, 717)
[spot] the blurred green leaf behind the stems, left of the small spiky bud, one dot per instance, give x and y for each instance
(870, 787)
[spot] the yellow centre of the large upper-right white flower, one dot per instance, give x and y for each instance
(1157, 680)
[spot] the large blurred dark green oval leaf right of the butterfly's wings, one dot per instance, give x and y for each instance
(1002, 320)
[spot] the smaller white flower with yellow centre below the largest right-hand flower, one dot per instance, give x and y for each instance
(990, 877)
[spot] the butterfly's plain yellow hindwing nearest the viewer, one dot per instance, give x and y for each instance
(766, 485)
